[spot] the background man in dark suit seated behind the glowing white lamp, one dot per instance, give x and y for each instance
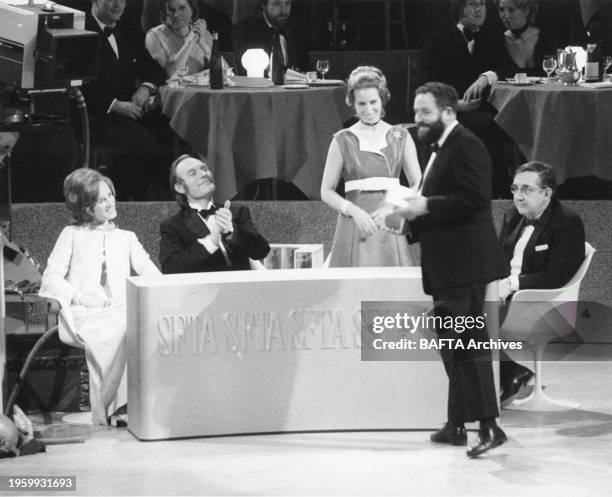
(257, 32)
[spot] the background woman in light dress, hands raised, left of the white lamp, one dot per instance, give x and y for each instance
(182, 39)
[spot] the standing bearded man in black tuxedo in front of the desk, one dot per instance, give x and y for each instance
(451, 217)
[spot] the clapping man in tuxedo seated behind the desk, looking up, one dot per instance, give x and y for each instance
(203, 236)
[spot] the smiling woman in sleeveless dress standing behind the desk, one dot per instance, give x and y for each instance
(369, 156)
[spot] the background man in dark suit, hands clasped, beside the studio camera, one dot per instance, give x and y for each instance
(138, 139)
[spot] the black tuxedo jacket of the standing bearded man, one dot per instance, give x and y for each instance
(459, 244)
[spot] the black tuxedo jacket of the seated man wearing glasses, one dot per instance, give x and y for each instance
(554, 251)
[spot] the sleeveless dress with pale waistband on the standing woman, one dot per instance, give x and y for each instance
(385, 161)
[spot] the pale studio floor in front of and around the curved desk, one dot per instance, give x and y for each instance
(548, 453)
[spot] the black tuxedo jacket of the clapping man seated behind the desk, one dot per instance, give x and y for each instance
(180, 251)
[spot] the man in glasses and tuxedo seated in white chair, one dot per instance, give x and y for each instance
(543, 244)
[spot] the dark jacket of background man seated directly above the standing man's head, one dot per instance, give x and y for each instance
(445, 58)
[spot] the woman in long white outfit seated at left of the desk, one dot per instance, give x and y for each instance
(86, 273)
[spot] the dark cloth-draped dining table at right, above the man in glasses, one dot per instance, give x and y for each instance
(568, 127)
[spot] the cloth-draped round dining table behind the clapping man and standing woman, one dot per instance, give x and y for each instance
(254, 133)
